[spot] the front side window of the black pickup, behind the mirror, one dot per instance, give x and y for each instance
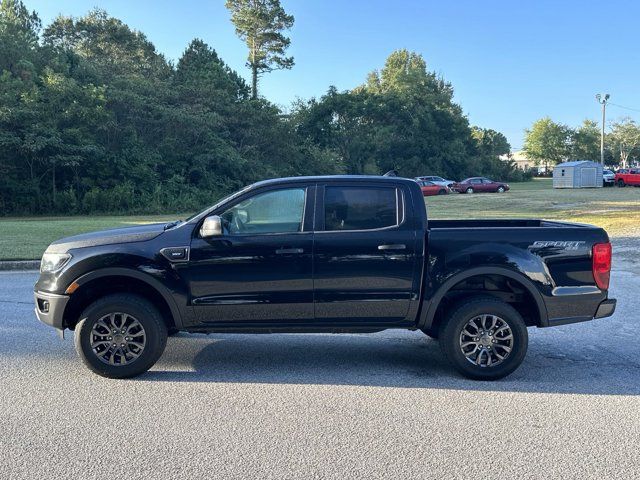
(277, 211)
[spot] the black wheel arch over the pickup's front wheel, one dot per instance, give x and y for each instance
(99, 283)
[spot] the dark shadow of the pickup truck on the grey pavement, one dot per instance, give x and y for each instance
(387, 359)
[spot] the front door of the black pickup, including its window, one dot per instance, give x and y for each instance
(260, 269)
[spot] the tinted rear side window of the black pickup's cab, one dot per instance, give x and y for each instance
(360, 208)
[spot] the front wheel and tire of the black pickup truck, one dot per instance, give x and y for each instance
(120, 311)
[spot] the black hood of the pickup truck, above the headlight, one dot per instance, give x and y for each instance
(107, 237)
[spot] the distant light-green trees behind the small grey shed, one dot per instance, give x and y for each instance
(548, 142)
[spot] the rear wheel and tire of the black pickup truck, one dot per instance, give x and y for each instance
(490, 346)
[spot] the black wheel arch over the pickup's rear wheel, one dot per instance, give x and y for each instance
(430, 307)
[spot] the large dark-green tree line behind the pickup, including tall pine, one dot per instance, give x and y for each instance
(94, 119)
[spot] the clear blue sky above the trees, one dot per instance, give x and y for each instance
(510, 62)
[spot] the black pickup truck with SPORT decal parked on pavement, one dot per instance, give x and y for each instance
(324, 254)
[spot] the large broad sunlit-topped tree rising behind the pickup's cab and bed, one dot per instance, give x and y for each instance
(402, 118)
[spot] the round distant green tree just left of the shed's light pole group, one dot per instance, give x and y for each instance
(547, 142)
